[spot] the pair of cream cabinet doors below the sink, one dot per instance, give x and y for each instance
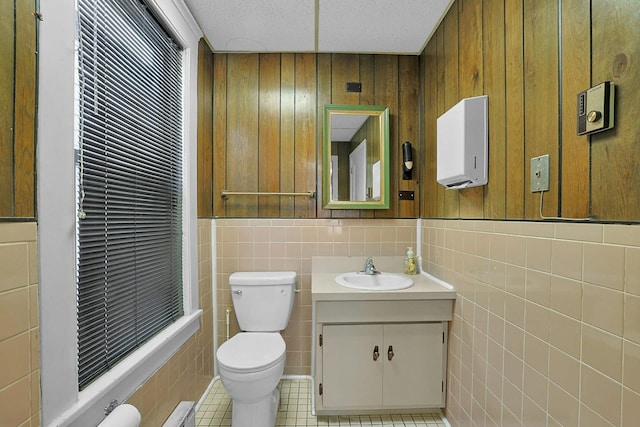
(377, 366)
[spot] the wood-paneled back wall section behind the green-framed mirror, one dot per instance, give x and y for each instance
(267, 112)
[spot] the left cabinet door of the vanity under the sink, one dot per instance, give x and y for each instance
(350, 376)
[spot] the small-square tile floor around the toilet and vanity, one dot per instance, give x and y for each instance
(295, 410)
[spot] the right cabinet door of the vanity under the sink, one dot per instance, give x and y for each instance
(413, 377)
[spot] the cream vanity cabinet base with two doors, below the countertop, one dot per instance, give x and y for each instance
(380, 356)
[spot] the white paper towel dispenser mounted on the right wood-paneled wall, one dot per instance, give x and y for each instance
(462, 144)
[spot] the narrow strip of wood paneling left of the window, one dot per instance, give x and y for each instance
(17, 108)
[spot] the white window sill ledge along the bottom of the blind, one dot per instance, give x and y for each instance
(127, 376)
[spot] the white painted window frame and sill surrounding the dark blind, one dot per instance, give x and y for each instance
(62, 401)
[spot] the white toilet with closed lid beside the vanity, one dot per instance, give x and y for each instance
(251, 363)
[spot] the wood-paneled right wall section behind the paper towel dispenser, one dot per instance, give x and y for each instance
(532, 57)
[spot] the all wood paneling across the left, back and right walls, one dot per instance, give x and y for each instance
(260, 115)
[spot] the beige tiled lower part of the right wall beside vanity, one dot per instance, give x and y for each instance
(578, 286)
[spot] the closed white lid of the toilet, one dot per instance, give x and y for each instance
(251, 351)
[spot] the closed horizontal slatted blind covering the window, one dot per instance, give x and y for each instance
(129, 175)
